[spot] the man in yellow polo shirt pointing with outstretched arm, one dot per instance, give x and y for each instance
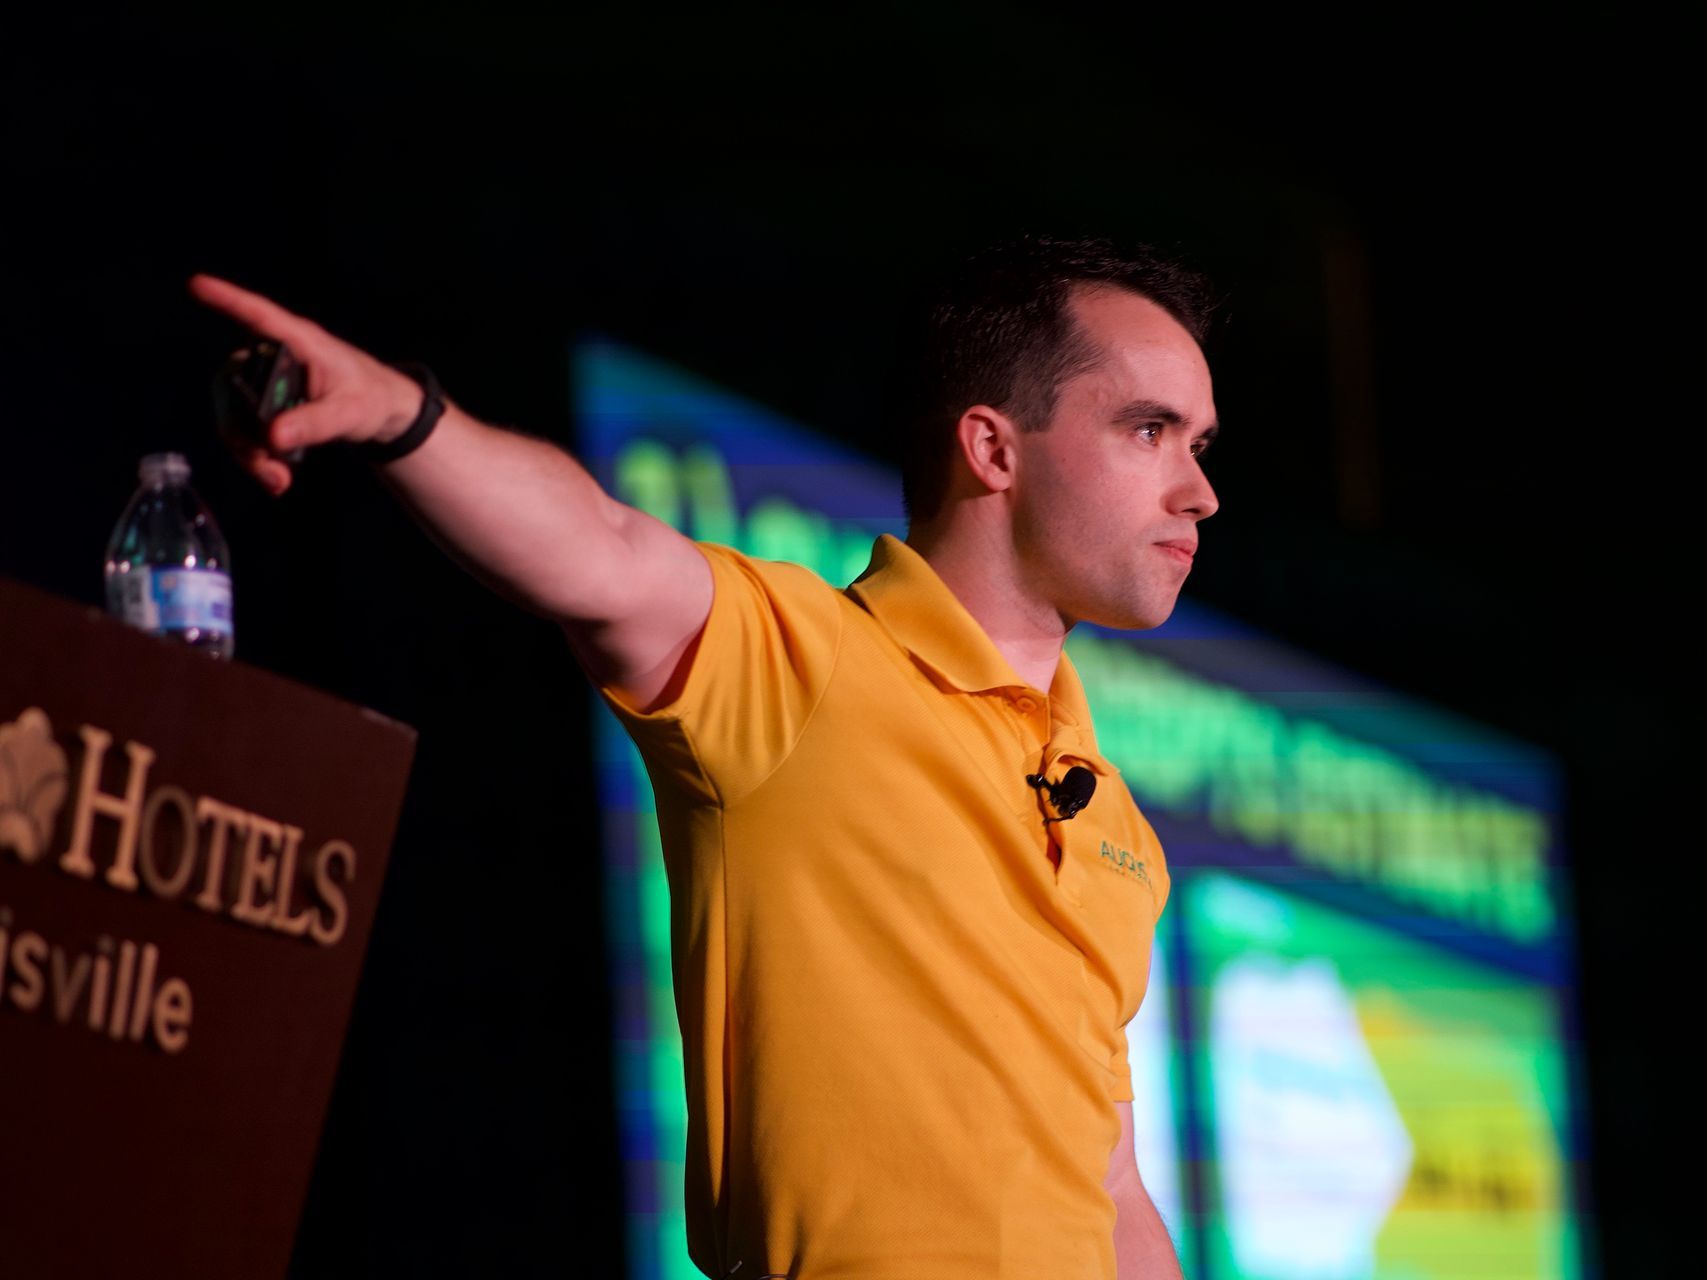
(904, 950)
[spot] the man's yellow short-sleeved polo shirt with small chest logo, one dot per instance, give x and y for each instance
(902, 1020)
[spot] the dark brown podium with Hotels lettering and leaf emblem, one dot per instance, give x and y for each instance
(190, 861)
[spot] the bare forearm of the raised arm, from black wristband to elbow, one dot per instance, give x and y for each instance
(518, 513)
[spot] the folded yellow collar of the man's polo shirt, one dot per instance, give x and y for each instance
(916, 607)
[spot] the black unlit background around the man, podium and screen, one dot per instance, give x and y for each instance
(1447, 460)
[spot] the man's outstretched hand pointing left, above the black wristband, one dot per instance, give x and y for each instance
(351, 395)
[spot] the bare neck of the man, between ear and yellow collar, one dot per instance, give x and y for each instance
(984, 573)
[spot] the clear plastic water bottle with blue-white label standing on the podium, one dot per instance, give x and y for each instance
(166, 567)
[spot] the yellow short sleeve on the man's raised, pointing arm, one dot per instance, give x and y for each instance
(755, 678)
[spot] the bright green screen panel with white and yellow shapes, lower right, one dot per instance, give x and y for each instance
(1378, 1107)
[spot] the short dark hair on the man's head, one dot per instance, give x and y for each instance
(999, 332)
